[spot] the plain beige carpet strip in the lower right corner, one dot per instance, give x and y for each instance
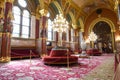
(103, 72)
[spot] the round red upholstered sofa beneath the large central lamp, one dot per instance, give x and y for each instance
(59, 56)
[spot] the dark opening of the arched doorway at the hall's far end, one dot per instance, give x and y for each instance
(104, 41)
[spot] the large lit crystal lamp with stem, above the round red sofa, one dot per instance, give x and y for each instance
(60, 25)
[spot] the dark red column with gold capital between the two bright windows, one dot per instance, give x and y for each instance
(43, 32)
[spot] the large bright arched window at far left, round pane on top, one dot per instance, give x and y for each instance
(21, 23)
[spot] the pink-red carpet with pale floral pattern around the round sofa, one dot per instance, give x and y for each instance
(23, 70)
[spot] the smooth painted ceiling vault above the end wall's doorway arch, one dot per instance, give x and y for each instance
(89, 5)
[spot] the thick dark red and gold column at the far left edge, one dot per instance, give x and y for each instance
(6, 34)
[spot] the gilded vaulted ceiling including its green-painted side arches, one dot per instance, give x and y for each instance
(76, 11)
